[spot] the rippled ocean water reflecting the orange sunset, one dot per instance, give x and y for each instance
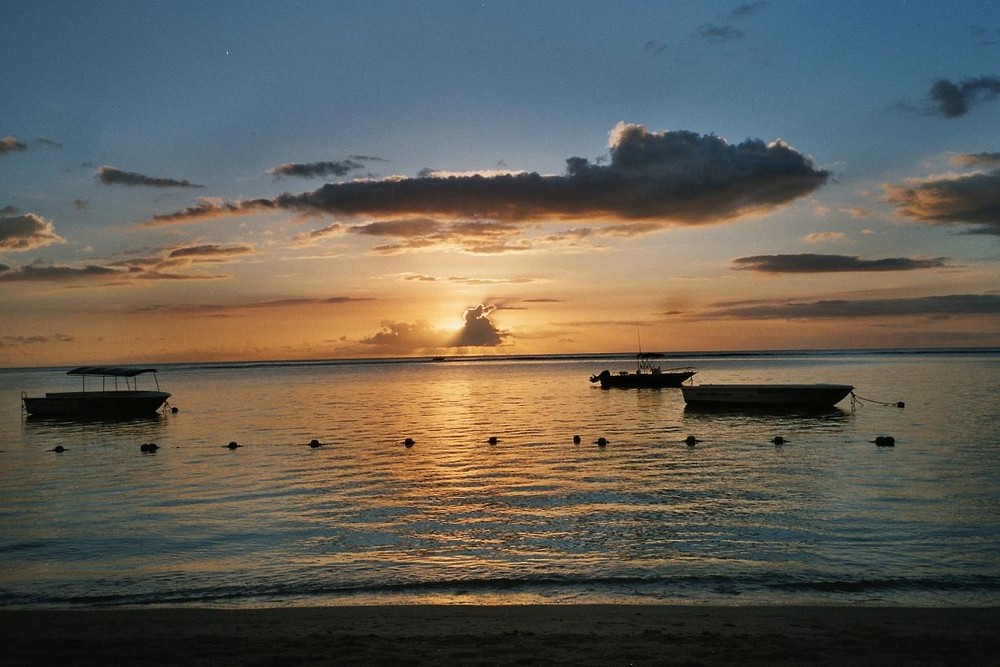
(826, 518)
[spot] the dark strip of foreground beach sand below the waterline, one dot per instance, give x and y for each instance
(505, 635)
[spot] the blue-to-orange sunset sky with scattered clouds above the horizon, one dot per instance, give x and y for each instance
(225, 181)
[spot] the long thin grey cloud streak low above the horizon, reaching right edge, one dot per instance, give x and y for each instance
(936, 306)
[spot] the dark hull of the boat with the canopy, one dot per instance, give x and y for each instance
(96, 404)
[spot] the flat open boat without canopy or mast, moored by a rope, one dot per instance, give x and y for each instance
(768, 396)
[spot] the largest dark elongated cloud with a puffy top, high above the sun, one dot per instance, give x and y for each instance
(672, 178)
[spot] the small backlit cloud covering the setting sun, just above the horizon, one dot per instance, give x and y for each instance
(478, 330)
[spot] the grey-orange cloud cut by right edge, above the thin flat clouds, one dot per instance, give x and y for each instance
(953, 199)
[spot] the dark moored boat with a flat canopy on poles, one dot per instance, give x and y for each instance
(103, 403)
